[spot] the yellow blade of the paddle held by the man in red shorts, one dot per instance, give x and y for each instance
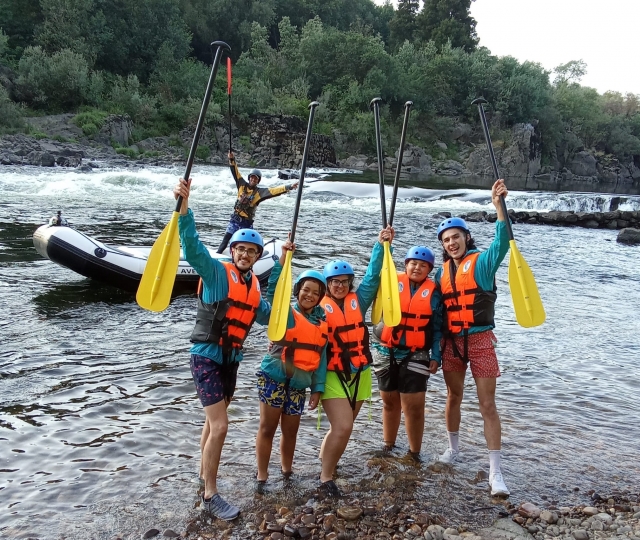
(524, 291)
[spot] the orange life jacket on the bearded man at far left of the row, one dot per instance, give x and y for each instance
(227, 322)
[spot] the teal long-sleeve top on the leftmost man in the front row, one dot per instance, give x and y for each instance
(215, 283)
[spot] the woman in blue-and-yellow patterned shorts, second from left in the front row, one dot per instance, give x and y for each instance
(293, 364)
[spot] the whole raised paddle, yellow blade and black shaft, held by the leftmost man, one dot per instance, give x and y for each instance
(156, 284)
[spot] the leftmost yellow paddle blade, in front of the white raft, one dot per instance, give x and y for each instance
(156, 285)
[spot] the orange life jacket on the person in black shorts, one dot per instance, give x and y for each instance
(415, 324)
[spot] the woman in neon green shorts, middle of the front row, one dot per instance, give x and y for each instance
(348, 354)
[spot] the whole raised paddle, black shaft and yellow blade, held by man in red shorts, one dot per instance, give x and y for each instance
(524, 291)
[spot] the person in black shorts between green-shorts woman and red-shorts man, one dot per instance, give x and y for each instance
(403, 362)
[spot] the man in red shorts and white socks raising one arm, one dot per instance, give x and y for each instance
(467, 283)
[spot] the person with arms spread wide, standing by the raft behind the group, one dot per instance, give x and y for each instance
(249, 196)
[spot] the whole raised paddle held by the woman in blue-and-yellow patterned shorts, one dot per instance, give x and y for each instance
(282, 296)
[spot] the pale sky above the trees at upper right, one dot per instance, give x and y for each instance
(553, 32)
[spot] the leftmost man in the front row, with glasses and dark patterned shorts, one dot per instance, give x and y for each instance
(229, 304)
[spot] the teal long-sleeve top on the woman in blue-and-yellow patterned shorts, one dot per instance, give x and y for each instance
(272, 363)
